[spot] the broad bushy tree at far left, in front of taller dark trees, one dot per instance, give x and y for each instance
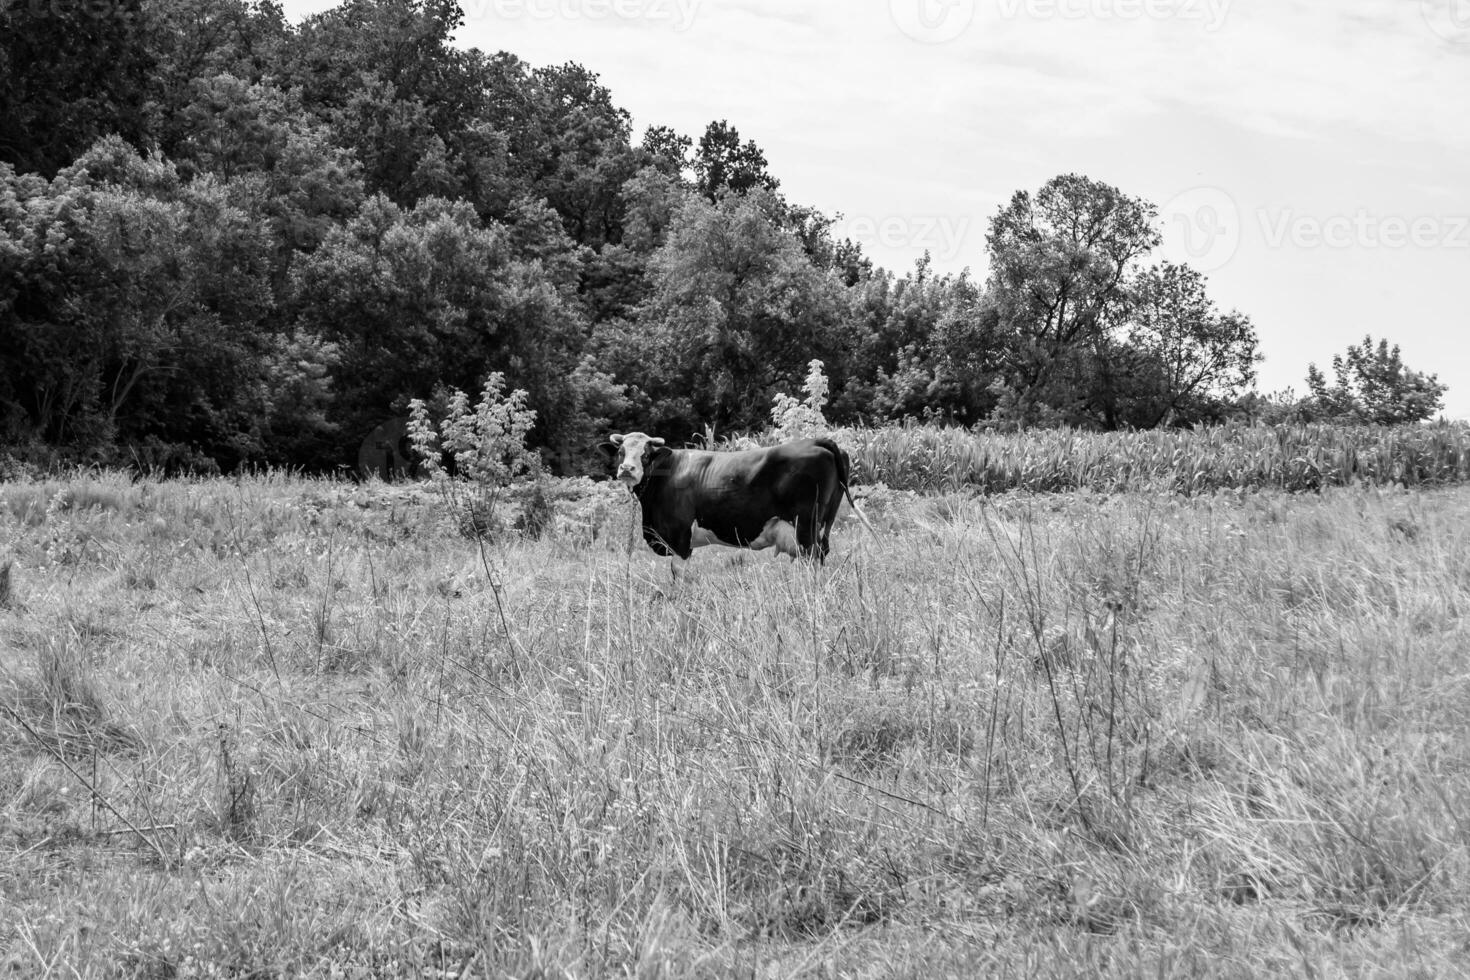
(124, 321)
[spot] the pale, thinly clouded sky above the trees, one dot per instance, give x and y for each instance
(1312, 158)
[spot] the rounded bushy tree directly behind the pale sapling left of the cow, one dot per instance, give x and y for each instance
(433, 295)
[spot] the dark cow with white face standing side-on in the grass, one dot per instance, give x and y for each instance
(784, 497)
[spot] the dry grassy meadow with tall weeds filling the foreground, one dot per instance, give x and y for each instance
(290, 728)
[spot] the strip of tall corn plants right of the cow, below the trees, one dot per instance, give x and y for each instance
(1299, 458)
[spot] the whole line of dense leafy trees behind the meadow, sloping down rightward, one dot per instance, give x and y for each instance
(230, 240)
